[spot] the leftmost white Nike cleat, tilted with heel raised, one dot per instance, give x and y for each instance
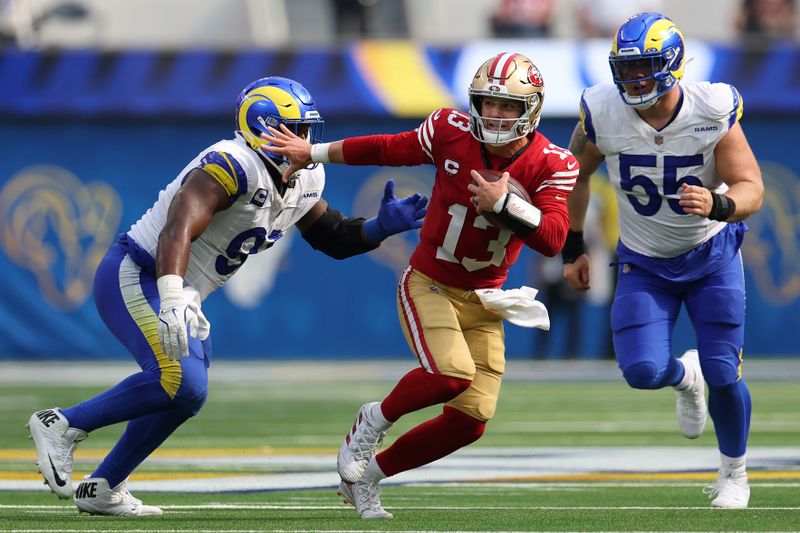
(55, 445)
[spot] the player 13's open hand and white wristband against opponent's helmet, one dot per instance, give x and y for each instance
(299, 151)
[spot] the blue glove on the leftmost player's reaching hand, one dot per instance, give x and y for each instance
(395, 216)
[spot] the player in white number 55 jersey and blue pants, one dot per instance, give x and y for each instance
(685, 178)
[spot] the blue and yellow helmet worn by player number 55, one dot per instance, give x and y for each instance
(647, 46)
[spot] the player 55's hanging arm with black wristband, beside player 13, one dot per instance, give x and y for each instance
(576, 262)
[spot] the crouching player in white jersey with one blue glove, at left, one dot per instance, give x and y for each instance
(227, 203)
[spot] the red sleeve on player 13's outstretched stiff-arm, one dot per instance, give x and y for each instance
(409, 148)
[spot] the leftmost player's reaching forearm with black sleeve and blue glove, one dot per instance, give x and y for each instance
(337, 236)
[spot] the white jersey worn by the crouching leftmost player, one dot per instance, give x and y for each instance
(256, 218)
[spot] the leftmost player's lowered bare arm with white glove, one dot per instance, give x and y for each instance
(189, 214)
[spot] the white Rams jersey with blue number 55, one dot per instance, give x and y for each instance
(647, 166)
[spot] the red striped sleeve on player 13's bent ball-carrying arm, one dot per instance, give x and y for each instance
(558, 180)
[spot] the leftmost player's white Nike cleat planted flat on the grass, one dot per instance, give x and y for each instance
(94, 496)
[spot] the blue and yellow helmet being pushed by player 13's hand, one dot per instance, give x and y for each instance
(274, 101)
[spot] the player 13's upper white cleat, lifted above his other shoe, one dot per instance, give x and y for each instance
(359, 446)
